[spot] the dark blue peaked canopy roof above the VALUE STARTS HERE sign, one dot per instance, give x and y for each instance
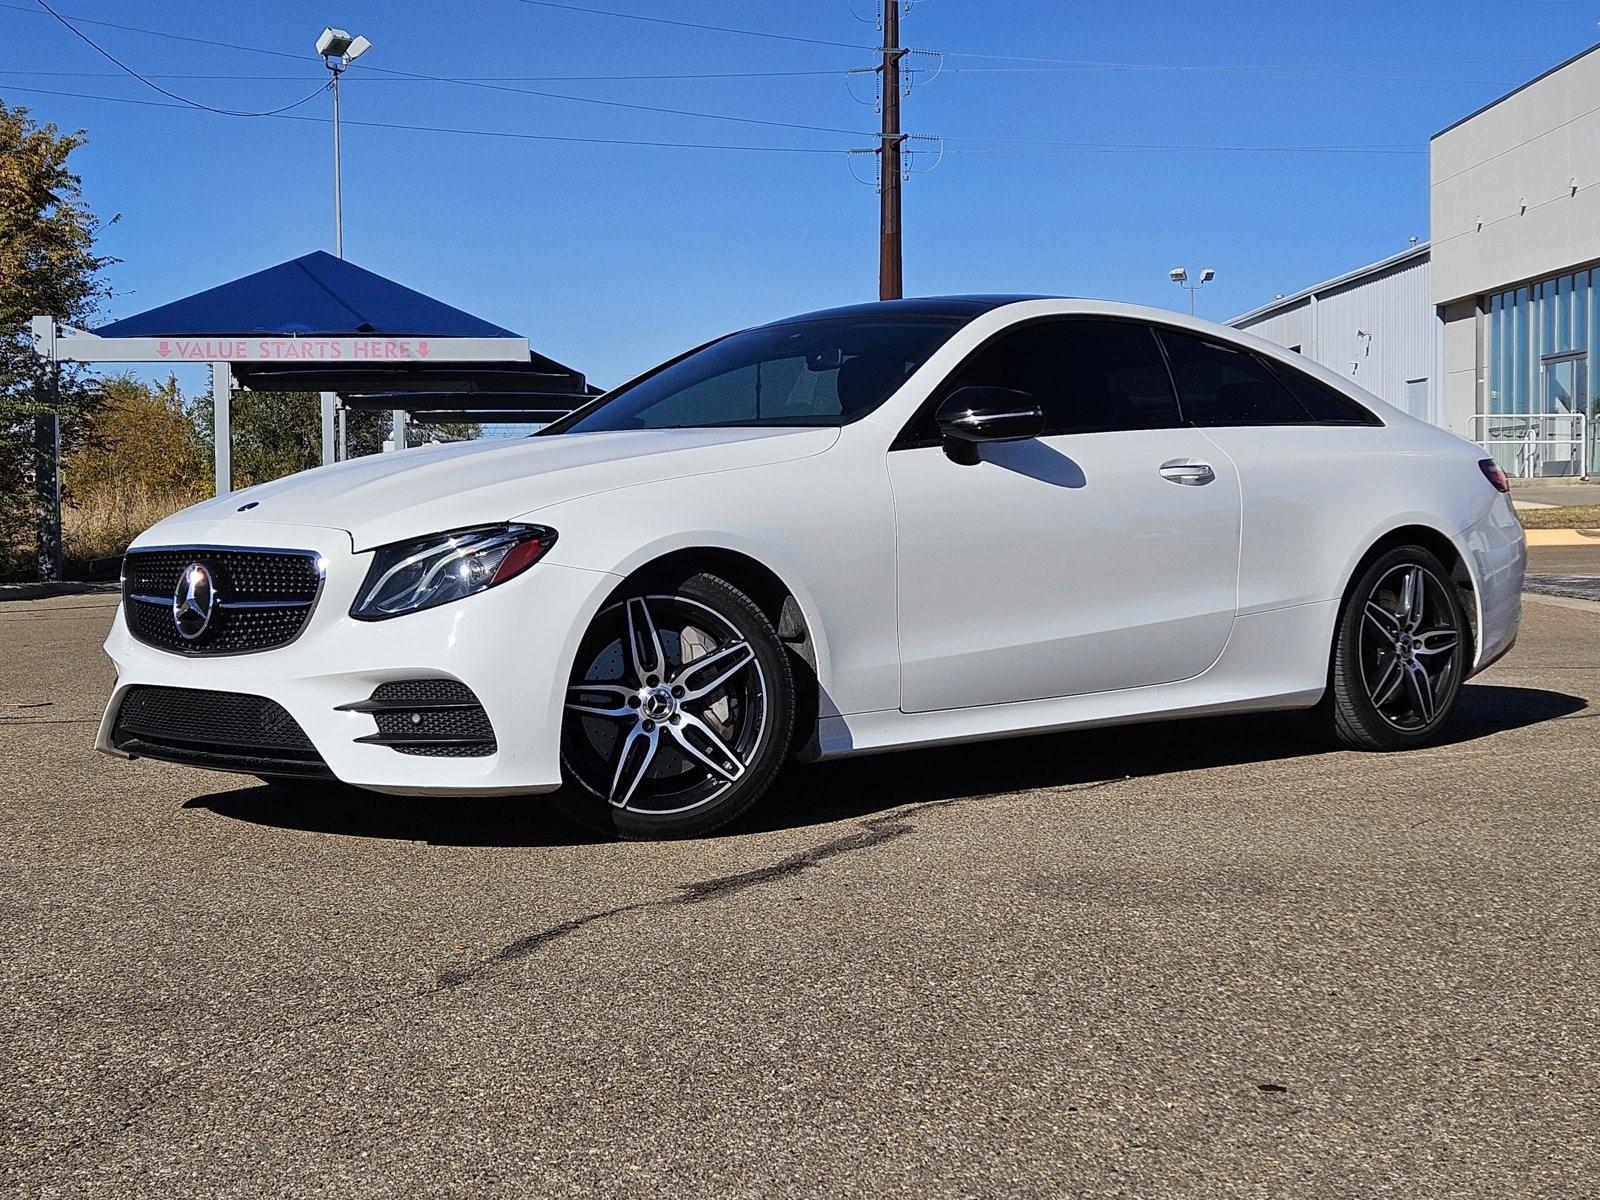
(314, 295)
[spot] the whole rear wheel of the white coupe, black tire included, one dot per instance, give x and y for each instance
(1398, 663)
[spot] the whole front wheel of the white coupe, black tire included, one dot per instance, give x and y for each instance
(679, 711)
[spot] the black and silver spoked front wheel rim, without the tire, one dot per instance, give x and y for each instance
(670, 706)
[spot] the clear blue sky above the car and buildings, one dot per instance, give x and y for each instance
(615, 257)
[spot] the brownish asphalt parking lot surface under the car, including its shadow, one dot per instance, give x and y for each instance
(1201, 959)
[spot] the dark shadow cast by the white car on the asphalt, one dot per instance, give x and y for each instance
(855, 788)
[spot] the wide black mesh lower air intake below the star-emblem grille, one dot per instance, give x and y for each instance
(215, 729)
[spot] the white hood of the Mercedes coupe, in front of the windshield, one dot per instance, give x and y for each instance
(385, 498)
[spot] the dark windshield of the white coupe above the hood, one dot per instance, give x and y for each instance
(825, 372)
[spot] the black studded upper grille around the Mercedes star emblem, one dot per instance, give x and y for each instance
(263, 599)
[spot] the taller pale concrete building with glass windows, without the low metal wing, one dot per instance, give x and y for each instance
(1516, 215)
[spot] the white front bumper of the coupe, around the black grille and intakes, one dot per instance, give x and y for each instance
(511, 646)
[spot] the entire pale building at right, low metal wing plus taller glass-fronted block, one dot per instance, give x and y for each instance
(1490, 327)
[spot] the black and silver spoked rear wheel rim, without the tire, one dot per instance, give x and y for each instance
(1409, 647)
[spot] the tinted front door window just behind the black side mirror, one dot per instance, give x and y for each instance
(1089, 377)
